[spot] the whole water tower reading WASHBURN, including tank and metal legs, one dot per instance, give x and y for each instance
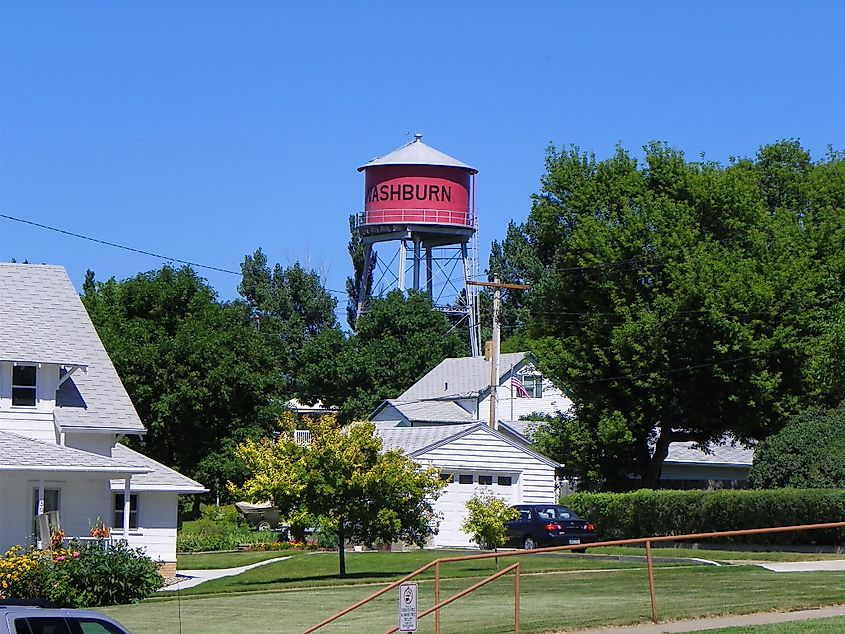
(419, 231)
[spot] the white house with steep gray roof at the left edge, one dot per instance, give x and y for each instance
(63, 410)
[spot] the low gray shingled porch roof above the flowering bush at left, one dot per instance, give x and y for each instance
(19, 453)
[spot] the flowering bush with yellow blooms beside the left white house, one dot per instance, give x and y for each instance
(81, 575)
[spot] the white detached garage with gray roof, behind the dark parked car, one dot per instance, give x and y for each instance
(474, 456)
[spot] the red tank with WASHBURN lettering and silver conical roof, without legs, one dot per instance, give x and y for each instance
(417, 184)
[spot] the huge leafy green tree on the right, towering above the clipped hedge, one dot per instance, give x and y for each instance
(677, 300)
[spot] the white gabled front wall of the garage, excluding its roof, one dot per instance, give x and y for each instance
(481, 453)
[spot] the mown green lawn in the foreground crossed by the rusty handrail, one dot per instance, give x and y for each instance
(608, 593)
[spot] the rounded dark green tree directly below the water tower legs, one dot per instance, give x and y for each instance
(398, 340)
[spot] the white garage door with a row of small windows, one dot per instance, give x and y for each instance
(452, 504)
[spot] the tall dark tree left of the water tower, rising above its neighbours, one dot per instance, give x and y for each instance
(289, 306)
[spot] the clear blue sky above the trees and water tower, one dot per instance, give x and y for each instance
(203, 130)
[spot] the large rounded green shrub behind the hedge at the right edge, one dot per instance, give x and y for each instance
(809, 453)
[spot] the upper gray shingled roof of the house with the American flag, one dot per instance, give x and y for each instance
(462, 376)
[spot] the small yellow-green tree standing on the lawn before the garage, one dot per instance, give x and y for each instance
(344, 480)
